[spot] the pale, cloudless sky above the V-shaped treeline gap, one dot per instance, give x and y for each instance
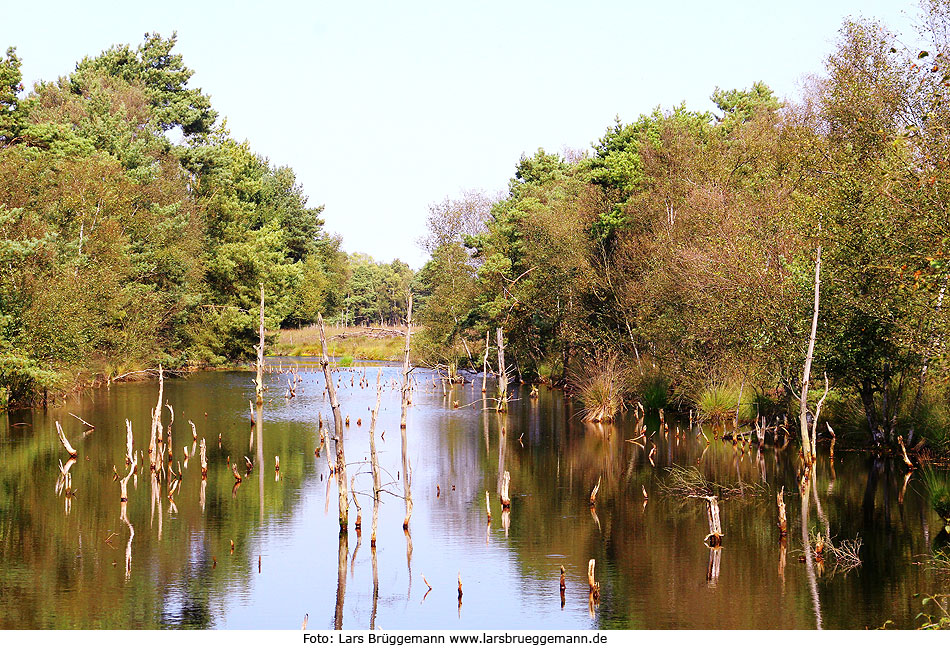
(384, 108)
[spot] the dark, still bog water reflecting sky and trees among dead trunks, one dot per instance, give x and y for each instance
(63, 563)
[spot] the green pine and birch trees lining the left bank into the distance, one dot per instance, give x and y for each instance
(134, 230)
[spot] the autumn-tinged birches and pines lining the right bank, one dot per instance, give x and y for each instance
(680, 253)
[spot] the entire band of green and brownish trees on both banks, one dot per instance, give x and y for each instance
(678, 252)
